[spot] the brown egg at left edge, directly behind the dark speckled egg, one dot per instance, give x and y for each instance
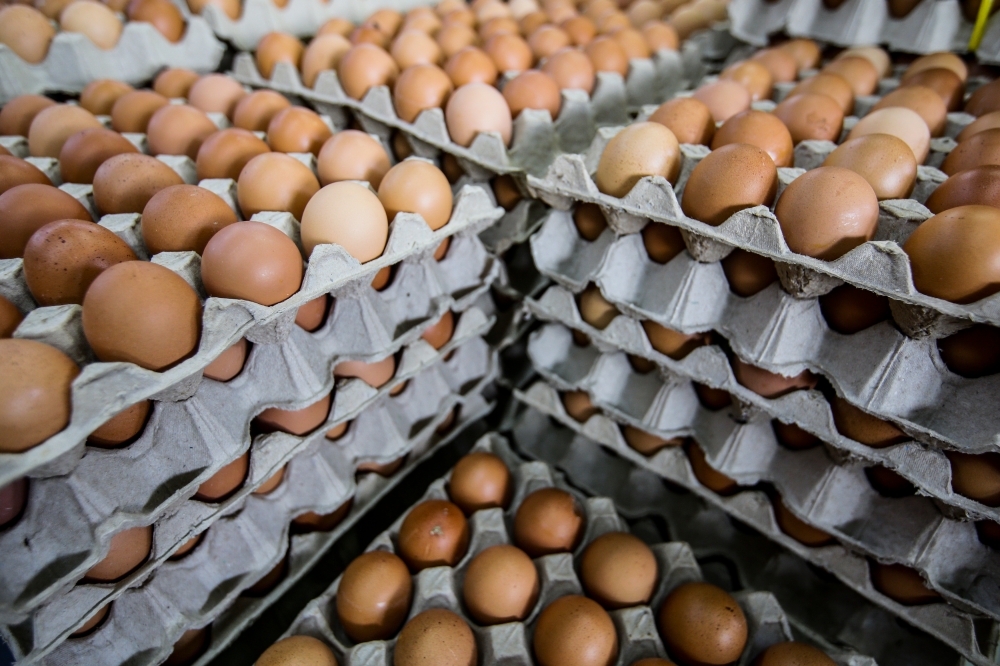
(26, 208)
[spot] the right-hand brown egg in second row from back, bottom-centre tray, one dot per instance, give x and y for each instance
(548, 521)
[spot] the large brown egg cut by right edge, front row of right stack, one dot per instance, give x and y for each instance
(952, 255)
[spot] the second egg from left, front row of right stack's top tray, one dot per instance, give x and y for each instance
(728, 180)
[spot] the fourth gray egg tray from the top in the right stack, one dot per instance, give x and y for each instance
(822, 488)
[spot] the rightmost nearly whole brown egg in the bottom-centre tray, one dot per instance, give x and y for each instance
(702, 624)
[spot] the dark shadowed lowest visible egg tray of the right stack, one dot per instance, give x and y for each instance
(718, 526)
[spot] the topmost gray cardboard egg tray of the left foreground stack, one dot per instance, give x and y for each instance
(225, 321)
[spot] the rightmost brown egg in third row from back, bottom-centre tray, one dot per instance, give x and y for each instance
(618, 571)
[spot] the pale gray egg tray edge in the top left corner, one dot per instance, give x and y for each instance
(73, 60)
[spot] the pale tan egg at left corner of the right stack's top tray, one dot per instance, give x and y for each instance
(639, 150)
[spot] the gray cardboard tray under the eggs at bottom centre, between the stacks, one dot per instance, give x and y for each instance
(440, 587)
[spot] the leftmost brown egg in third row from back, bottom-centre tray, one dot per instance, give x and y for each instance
(374, 596)
